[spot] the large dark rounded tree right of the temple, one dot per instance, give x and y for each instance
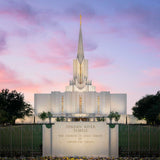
(148, 108)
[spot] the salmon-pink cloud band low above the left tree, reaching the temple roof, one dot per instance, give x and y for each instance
(10, 79)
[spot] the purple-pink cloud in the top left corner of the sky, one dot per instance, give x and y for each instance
(24, 13)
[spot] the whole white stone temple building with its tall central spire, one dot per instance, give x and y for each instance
(80, 98)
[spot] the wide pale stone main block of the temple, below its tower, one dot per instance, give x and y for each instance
(80, 102)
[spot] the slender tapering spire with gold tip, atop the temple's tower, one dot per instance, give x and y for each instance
(80, 53)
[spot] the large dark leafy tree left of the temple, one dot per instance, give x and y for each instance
(13, 106)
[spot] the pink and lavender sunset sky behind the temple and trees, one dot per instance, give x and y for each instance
(38, 42)
